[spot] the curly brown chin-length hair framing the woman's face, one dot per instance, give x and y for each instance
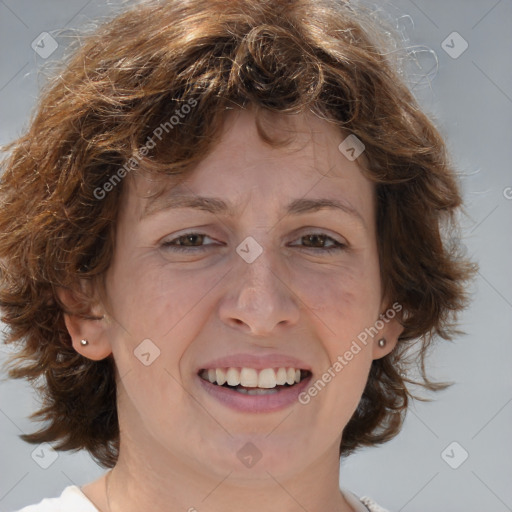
(57, 223)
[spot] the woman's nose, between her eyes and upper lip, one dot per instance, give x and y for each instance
(259, 297)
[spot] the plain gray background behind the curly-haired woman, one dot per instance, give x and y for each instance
(470, 99)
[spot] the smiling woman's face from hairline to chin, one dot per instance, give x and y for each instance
(271, 282)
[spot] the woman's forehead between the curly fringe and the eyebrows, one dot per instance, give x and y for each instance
(242, 164)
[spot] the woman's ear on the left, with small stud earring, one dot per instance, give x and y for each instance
(92, 327)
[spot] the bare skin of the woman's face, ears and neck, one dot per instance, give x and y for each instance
(178, 444)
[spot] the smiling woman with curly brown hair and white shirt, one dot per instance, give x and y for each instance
(220, 236)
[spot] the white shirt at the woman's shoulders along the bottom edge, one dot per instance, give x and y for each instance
(73, 499)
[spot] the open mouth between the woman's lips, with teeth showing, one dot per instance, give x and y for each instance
(249, 381)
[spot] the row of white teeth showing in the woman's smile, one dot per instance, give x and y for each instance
(250, 378)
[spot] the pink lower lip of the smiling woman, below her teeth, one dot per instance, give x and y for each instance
(256, 403)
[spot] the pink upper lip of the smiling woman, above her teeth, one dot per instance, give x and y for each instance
(258, 362)
